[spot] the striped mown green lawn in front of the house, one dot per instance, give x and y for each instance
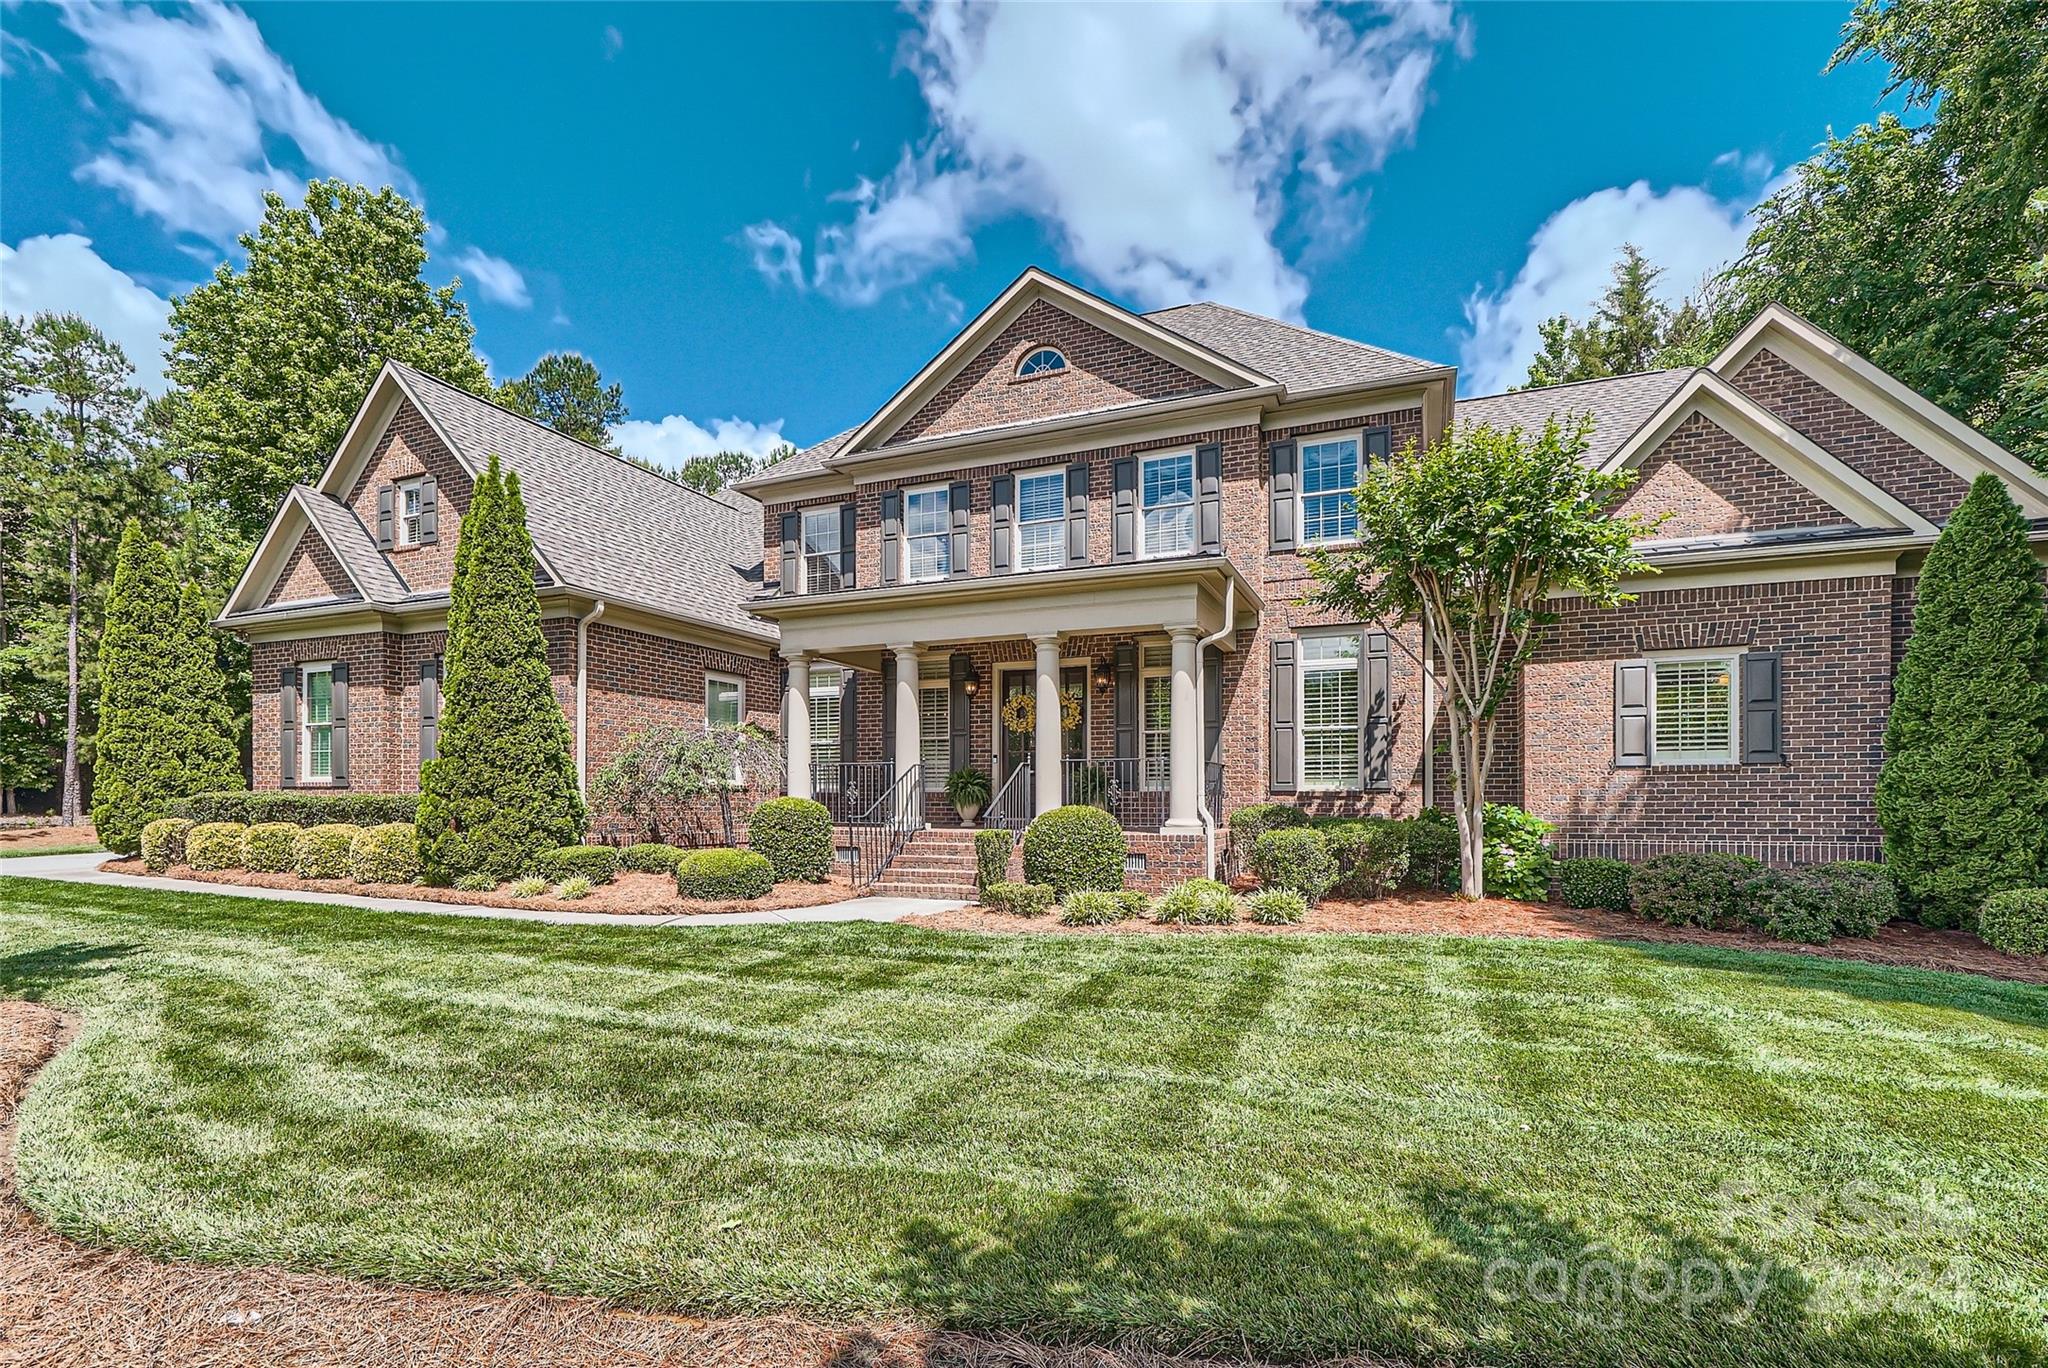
(1486, 1150)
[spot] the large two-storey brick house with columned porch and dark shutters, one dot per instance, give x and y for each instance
(1070, 552)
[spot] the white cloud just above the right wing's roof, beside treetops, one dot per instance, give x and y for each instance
(1684, 230)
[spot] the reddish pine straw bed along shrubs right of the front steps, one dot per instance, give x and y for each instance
(1424, 914)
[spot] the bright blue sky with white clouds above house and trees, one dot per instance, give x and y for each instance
(761, 220)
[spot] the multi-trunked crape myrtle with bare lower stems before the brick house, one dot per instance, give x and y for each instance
(1469, 540)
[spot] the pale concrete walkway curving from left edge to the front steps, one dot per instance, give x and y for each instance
(87, 869)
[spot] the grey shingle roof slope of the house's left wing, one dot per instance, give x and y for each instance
(605, 525)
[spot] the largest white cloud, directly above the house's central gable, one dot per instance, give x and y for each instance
(1170, 148)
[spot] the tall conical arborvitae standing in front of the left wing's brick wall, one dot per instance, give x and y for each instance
(501, 787)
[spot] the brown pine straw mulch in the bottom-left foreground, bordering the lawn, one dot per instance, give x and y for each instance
(67, 1306)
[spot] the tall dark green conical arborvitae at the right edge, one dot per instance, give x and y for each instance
(1965, 785)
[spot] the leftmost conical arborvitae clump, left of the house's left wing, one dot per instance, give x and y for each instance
(159, 738)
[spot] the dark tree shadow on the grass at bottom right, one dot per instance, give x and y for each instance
(1467, 1277)
